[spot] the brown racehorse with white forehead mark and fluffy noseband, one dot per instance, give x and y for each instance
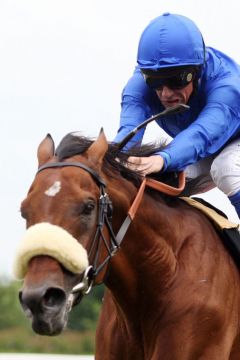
(172, 288)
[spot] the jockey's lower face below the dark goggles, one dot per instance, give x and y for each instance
(170, 97)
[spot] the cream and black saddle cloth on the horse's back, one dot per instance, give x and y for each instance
(228, 231)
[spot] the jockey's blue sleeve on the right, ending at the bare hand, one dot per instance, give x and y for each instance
(215, 125)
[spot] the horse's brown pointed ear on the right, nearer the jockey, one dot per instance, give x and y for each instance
(98, 149)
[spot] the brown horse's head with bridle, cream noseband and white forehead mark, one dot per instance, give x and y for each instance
(65, 210)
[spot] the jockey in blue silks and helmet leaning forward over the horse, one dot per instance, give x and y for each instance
(174, 66)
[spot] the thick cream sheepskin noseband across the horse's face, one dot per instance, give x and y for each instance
(52, 240)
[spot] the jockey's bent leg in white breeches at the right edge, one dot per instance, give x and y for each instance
(225, 172)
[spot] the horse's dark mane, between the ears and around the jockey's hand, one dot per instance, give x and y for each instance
(115, 160)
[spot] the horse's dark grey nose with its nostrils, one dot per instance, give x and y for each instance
(42, 299)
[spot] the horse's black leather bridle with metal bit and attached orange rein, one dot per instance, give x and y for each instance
(105, 219)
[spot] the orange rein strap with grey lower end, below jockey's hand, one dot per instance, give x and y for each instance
(154, 184)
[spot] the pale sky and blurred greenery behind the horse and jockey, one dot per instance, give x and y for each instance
(63, 66)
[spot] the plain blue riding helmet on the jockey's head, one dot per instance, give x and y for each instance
(170, 40)
